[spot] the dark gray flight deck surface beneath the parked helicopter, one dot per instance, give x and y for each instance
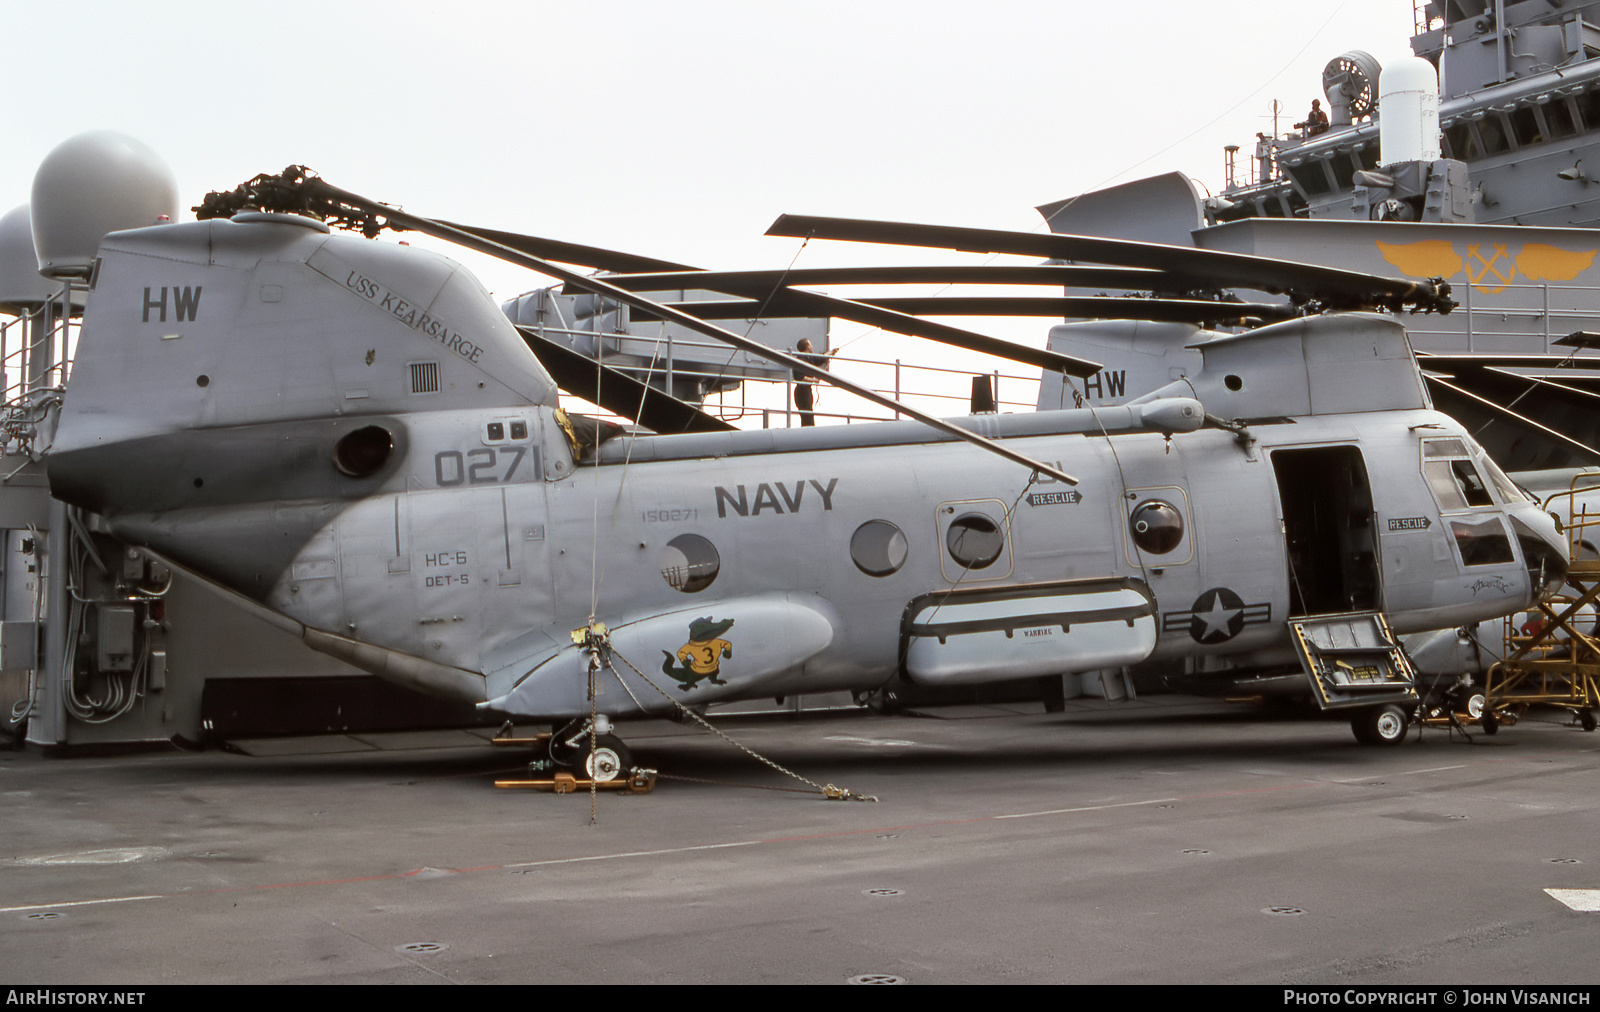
(1161, 841)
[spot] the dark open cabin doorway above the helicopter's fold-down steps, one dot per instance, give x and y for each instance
(1329, 531)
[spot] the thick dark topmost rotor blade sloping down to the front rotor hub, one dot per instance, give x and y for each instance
(1343, 289)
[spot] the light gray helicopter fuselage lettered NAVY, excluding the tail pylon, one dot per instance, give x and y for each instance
(494, 577)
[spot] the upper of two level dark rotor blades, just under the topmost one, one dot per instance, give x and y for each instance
(1127, 279)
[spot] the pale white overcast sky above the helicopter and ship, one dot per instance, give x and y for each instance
(682, 131)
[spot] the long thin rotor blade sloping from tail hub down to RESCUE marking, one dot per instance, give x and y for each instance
(319, 188)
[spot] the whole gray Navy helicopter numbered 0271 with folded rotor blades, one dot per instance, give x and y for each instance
(354, 441)
